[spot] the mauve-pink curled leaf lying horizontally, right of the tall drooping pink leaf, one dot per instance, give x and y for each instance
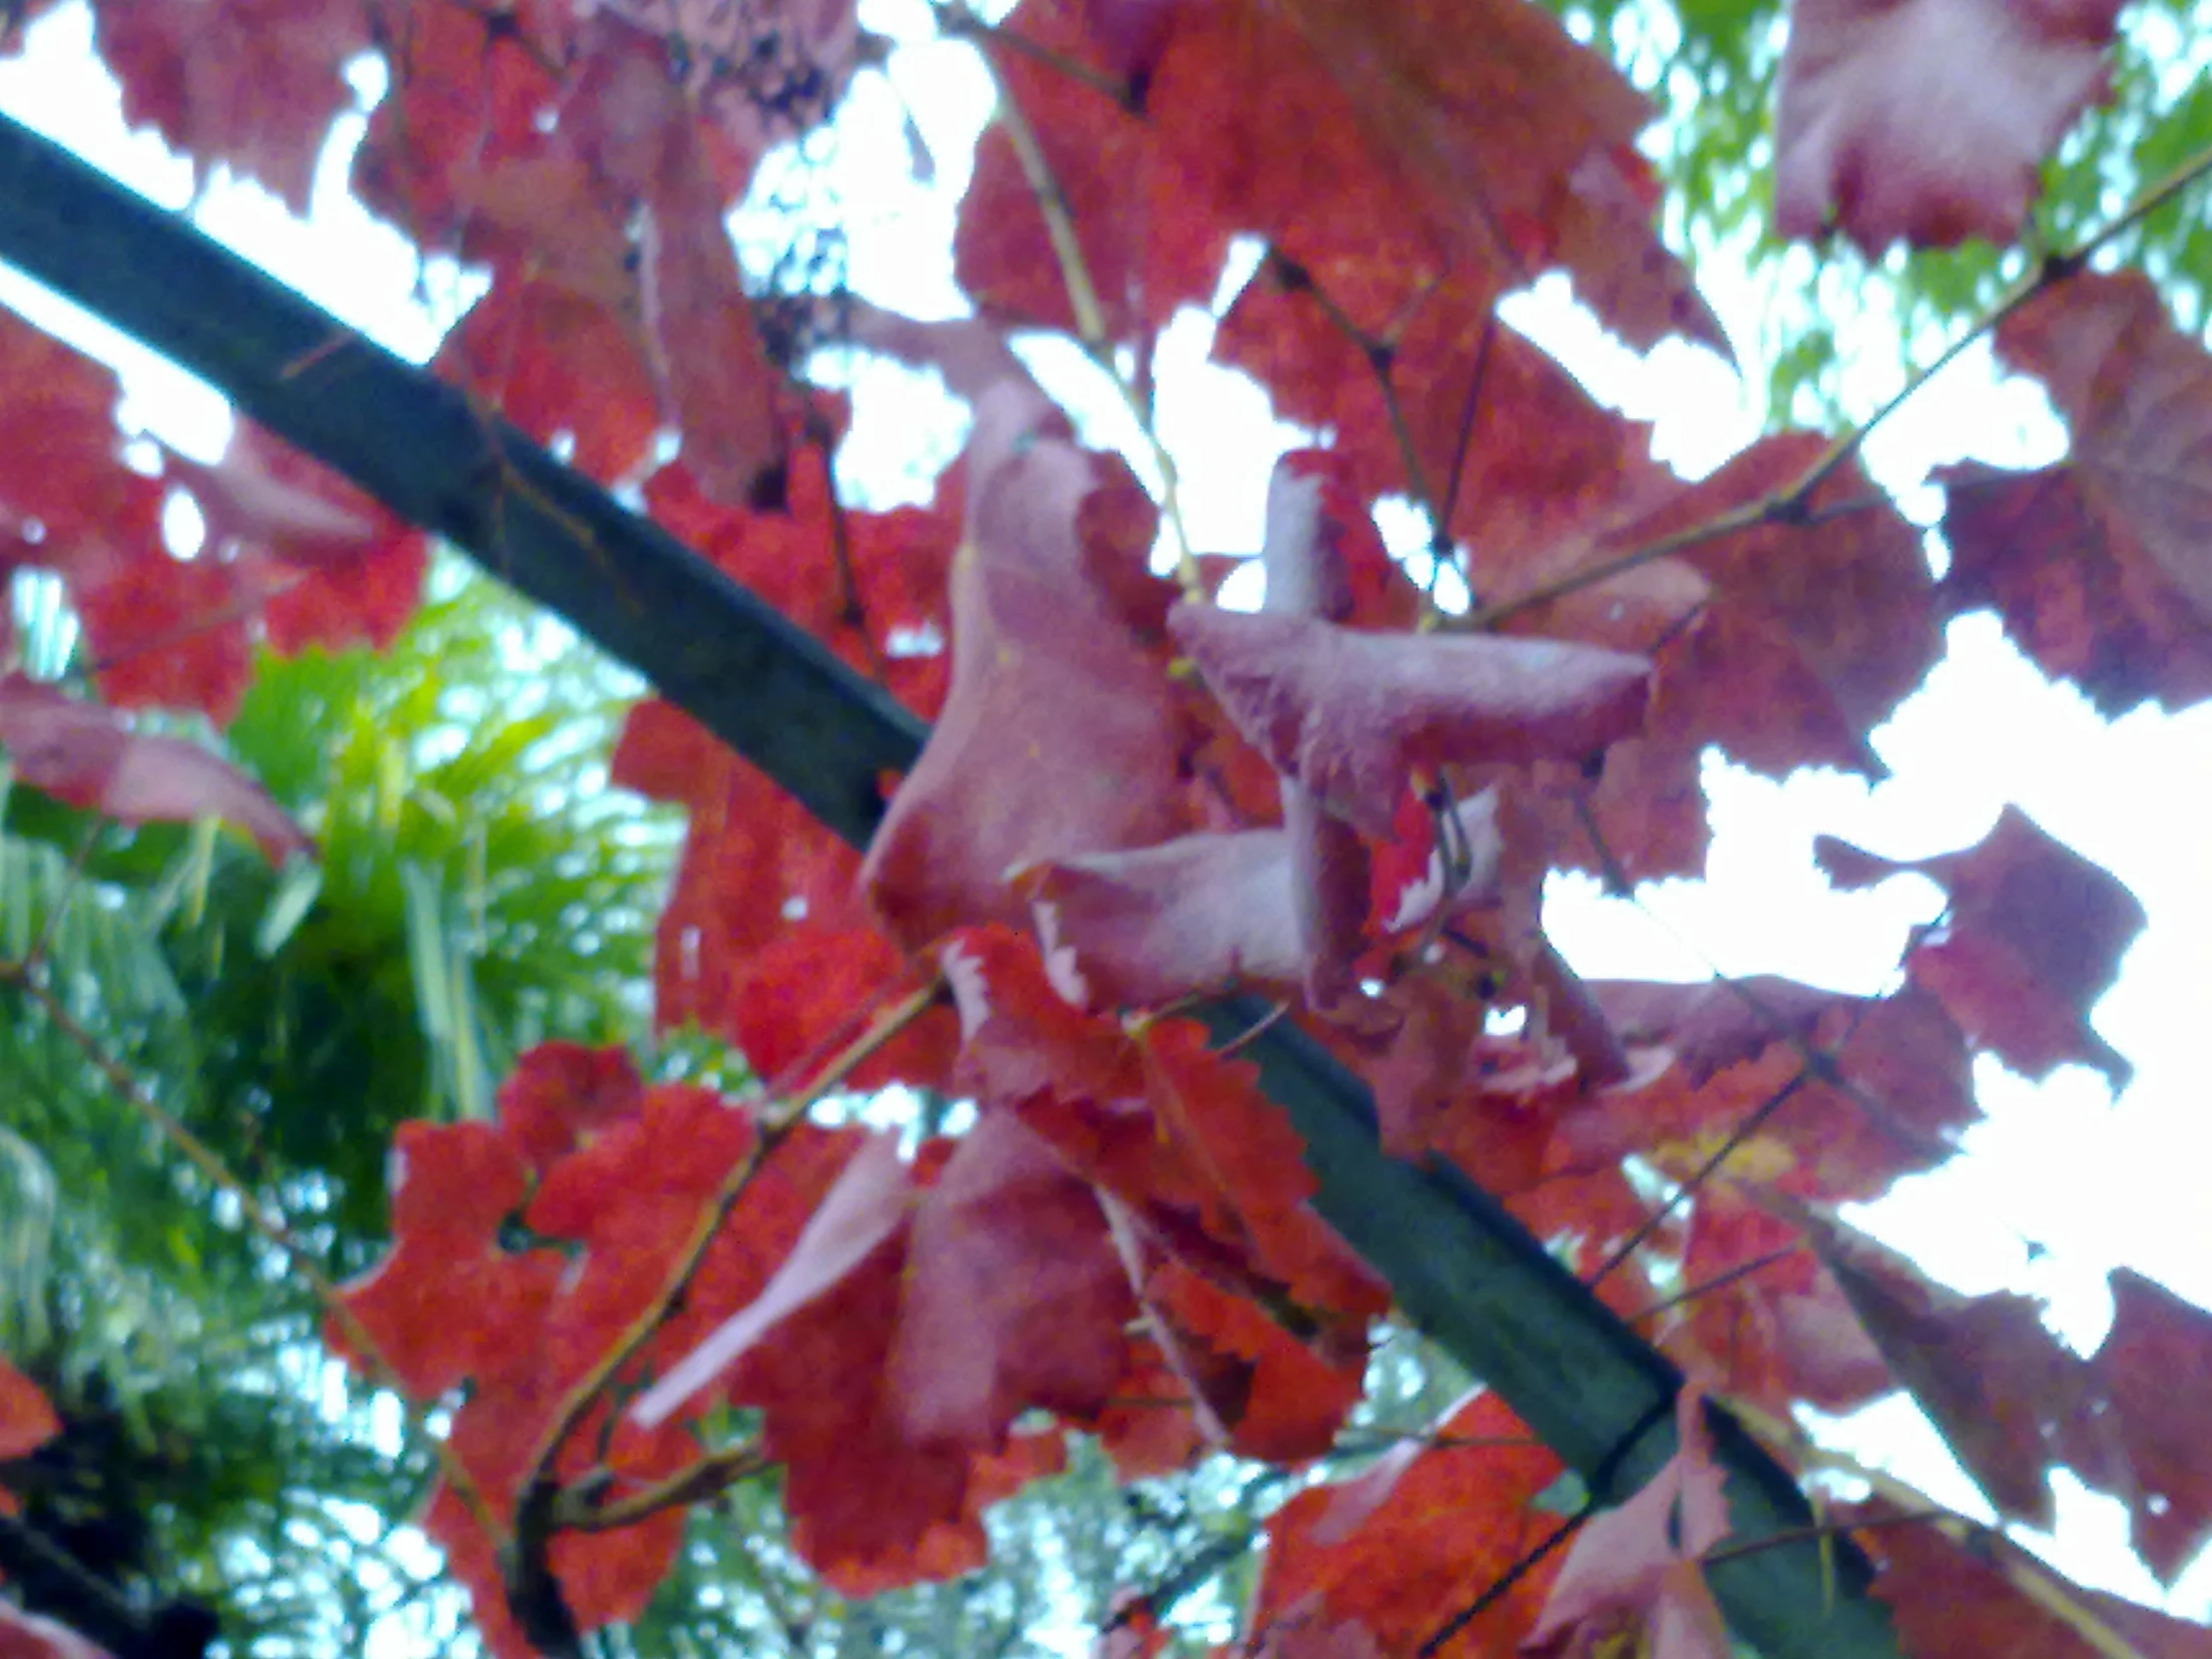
(1353, 716)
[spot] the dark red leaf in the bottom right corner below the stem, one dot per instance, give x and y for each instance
(1954, 1598)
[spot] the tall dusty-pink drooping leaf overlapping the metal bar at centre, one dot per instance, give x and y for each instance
(1058, 733)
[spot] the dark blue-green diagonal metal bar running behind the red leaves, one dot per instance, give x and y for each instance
(1461, 1266)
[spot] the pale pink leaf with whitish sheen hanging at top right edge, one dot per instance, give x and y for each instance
(1928, 121)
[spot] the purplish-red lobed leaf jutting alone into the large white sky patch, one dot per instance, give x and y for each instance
(2030, 941)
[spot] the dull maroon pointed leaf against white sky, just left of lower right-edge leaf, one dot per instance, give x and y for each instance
(1985, 1368)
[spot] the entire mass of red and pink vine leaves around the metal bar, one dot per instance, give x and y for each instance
(1134, 797)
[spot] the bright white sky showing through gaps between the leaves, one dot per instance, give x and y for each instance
(2089, 1180)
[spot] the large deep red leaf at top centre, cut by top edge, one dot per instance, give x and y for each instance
(1432, 138)
